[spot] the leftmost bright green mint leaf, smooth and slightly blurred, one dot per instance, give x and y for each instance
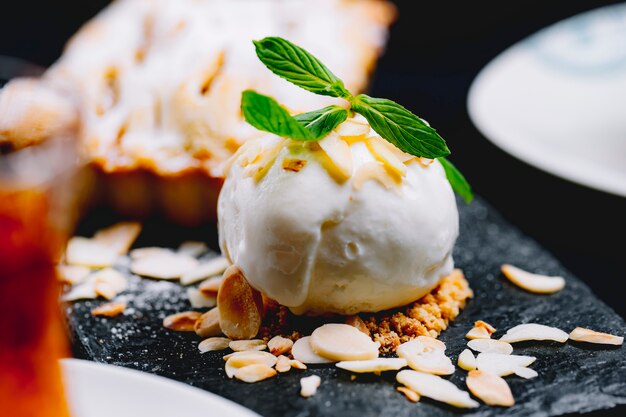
(266, 114)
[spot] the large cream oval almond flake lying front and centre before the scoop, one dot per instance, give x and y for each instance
(342, 342)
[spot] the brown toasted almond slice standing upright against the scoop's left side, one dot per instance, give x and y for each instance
(240, 305)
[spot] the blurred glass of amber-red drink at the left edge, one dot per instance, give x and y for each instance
(39, 192)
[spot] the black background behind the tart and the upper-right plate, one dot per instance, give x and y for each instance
(435, 51)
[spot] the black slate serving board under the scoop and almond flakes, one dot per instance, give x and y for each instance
(573, 378)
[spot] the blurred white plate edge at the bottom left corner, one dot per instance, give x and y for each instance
(98, 390)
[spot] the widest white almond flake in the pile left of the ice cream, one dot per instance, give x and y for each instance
(165, 266)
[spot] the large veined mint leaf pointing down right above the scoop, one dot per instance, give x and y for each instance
(399, 126)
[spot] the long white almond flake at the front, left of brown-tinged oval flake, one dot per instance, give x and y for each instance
(436, 388)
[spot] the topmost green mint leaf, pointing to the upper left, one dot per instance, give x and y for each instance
(299, 67)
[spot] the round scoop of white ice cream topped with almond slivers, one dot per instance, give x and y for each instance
(345, 225)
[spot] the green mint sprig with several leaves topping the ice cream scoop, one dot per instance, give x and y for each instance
(390, 120)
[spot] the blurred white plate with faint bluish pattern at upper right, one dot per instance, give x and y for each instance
(557, 100)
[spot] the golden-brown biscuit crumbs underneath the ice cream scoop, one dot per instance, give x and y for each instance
(427, 316)
